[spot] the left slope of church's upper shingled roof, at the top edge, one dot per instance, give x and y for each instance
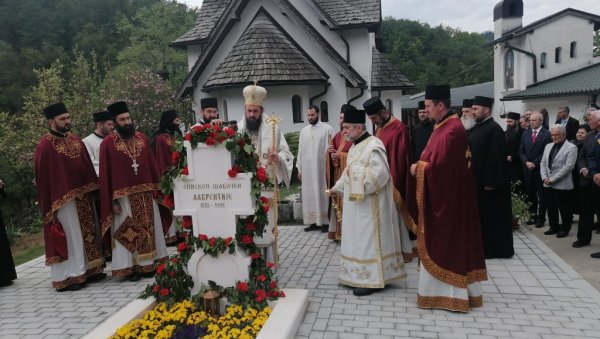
(209, 14)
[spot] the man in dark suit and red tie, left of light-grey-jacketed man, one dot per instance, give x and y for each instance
(533, 142)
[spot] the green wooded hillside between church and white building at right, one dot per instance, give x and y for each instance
(428, 55)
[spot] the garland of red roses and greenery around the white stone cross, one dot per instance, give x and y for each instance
(261, 286)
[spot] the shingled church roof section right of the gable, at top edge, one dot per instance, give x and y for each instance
(343, 13)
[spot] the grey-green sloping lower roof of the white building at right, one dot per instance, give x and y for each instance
(582, 81)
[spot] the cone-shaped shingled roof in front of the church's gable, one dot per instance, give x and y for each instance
(267, 55)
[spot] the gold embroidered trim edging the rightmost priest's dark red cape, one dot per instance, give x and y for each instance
(434, 269)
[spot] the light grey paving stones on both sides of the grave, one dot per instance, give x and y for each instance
(534, 295)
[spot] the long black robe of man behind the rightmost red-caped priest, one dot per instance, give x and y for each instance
(488, 149)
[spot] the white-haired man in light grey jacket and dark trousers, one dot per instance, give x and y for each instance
(556, 166)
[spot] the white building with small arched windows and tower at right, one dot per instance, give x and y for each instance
(546, 64)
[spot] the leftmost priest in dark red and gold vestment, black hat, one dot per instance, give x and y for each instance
(65, 180)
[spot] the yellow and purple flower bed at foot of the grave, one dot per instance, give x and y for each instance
(183, 320)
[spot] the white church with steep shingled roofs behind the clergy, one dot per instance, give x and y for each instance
(322, 52)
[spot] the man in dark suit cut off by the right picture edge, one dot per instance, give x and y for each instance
(588, 192)
